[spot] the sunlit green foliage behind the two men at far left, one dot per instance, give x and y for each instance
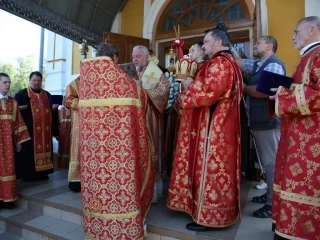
(19, 74)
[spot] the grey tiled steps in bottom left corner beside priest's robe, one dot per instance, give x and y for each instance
(34, 219)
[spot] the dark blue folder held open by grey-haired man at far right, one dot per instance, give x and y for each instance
(268, 80)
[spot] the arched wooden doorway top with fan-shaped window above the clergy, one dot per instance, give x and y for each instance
(196, 16)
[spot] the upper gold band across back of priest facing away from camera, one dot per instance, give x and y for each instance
(110, 102)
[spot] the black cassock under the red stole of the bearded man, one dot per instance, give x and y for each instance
(25, 161)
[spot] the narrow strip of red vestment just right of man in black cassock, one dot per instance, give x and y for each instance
(64, 137)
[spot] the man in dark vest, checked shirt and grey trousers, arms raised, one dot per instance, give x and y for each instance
(265, 128)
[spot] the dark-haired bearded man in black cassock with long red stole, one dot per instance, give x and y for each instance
(35, 160)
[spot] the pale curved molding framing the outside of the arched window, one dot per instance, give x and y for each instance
(156, 11)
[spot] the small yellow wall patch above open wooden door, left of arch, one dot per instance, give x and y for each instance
(132, 18)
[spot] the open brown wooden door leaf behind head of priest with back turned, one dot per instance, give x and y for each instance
(124, 44)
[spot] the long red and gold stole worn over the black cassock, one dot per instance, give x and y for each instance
(42, 136)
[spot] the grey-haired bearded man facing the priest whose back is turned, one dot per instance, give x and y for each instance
(157, 87)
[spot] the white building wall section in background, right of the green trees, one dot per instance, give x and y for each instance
(56, 63)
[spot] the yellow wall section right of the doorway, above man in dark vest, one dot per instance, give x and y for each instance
(282, 18)
